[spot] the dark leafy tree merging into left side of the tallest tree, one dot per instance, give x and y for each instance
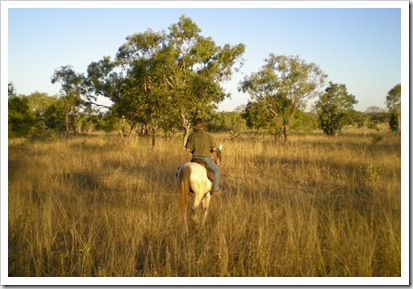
(144, 97)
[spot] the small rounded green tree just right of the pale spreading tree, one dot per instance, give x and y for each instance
(334, 108)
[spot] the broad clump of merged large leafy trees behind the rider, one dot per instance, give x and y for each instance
(175, 75)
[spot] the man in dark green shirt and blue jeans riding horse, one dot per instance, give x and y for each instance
(201, 143)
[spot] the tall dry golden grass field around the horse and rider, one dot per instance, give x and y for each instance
(315, 206)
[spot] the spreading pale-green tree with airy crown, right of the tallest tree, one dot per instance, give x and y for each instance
(283, 85)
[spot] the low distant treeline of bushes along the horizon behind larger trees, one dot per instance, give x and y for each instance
(40, 116)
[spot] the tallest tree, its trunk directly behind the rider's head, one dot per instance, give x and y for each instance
(199, 68)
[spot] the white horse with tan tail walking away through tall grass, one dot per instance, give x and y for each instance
(192, 178)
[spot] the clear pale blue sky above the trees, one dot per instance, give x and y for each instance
(358, 47)
